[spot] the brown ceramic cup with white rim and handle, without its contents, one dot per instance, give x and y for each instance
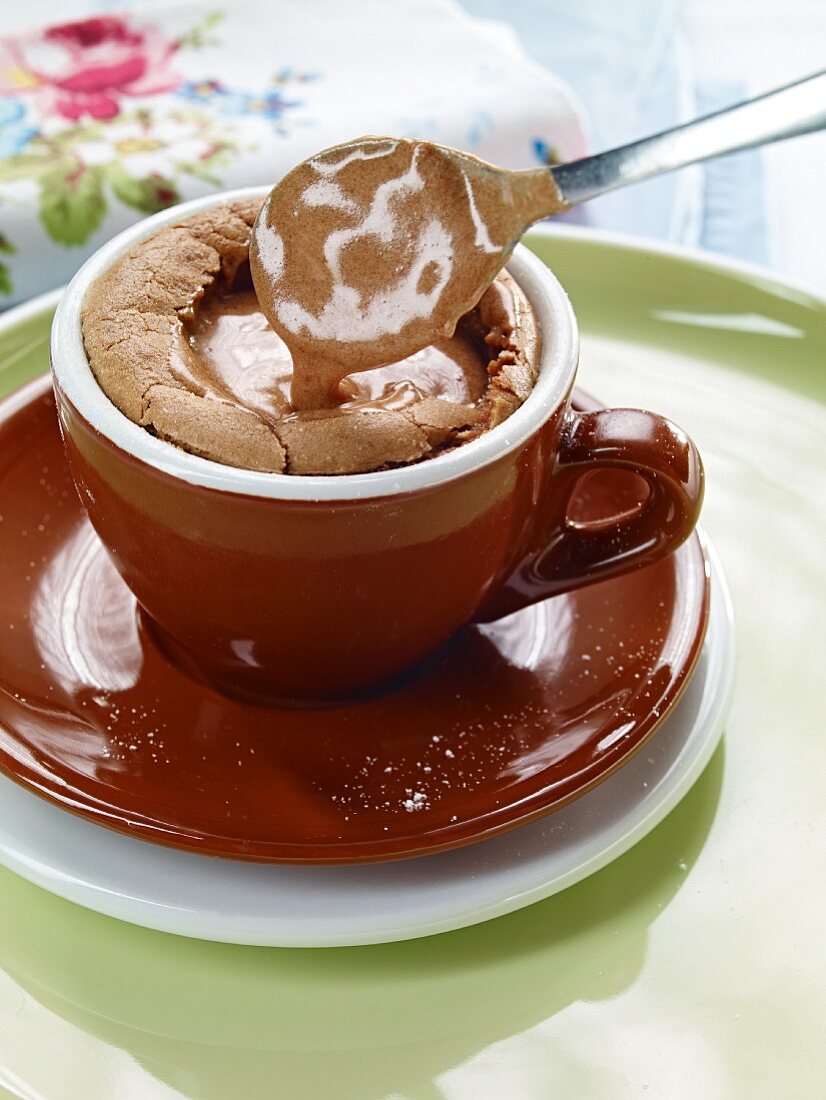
(281, 588)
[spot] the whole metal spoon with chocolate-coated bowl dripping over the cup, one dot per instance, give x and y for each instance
(370, 251)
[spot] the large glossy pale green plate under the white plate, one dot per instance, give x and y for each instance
(693, 966)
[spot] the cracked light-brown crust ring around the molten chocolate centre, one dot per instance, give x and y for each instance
(136, 317)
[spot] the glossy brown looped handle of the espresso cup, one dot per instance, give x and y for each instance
(565, 555)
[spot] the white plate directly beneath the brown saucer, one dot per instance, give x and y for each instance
(321, 907)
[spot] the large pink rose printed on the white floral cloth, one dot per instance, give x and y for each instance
(103, 60)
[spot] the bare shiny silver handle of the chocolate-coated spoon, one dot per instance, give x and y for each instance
(796, 109)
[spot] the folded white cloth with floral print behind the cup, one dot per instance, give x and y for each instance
(109, 118)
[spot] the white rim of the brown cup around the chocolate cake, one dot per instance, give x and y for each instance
(76, 382)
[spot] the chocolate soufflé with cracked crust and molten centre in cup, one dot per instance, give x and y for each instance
(178, 342)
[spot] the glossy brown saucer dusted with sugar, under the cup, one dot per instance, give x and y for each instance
(517, 719)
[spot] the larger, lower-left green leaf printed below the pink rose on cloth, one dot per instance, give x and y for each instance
(72, 202)
